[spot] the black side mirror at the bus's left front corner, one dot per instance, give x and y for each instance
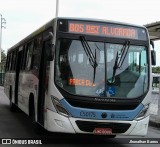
(50, 48)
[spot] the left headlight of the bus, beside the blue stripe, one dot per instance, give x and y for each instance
(59, 108)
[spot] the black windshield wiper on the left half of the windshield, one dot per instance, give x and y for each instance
(89, 53)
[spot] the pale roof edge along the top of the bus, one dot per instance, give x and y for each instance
(51, 23)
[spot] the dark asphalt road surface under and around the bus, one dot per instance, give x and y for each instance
(18, 125)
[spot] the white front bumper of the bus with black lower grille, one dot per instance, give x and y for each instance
(55, 122)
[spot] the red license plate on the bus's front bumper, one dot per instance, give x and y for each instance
(102, 131)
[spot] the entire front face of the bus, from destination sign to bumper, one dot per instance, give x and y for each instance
(101, 78)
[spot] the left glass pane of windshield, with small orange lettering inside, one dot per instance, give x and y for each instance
(75, 72)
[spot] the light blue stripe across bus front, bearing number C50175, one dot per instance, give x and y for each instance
(101, 114)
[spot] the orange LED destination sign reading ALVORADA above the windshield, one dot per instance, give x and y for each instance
(108, 30)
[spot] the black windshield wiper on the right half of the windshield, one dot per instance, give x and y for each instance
(120, 57)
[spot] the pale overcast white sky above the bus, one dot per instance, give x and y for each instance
(25, 16)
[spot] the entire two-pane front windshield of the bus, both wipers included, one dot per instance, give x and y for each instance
(99, 69)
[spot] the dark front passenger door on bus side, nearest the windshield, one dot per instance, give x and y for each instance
(43, 82)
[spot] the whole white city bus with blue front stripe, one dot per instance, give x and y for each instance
(83, 76)
